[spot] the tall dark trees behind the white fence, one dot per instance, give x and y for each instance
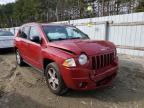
(23, 11)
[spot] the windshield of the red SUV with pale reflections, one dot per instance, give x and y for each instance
(55, 33)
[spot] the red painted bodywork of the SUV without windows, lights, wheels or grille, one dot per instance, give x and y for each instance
(35, 54)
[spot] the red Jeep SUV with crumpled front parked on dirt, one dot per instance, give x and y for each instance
(66, 56)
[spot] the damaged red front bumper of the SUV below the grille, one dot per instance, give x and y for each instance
(83, 79)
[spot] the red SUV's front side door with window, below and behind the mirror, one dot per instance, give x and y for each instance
(34, 49)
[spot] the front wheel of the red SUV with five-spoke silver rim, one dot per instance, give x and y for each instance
(54, 79)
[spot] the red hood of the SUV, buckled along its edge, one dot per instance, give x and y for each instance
(90, 47)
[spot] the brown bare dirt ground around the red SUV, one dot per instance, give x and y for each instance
(23, 87)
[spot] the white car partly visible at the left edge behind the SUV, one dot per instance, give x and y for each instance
(6, 39)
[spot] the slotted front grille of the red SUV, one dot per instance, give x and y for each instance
(102, 61)
